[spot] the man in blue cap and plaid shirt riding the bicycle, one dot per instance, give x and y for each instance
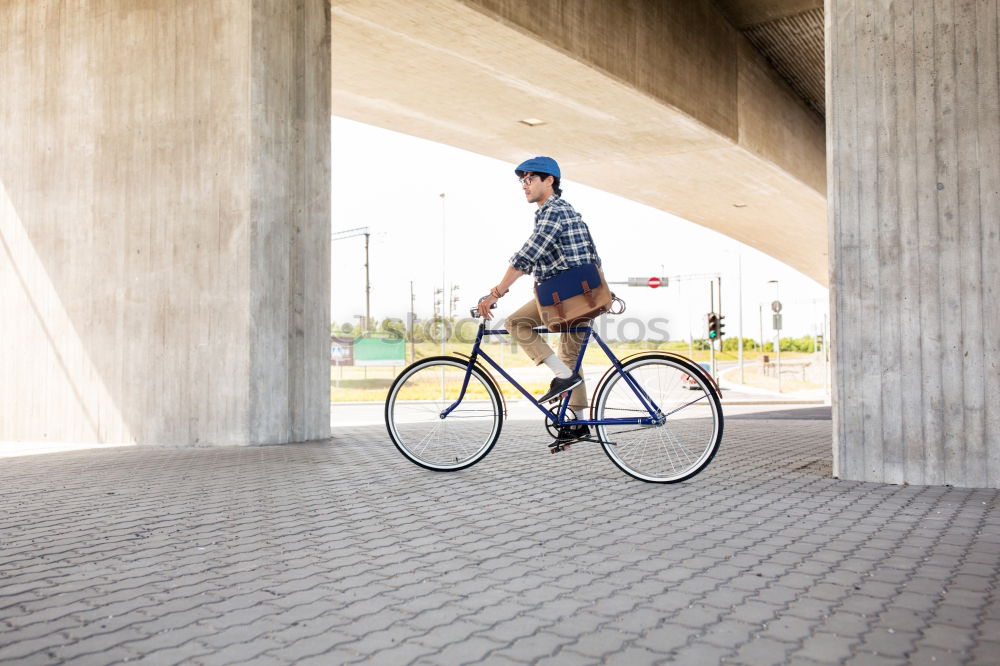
(559, 241)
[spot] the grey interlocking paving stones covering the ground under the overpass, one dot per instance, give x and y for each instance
(343, 551)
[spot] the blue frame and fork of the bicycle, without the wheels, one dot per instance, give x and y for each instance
(656, 416)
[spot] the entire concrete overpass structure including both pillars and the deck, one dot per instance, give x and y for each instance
(164, 191)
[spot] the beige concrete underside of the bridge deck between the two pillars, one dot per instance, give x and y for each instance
(665, 103)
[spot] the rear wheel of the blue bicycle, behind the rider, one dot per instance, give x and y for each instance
(689, 428)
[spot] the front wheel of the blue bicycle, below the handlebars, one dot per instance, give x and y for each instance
(426, 424)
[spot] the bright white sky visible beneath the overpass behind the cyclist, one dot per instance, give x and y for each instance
(392, 183)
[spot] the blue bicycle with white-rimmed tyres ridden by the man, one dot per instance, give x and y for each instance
(445, 413)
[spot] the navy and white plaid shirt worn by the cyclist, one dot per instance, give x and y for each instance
(560, 240)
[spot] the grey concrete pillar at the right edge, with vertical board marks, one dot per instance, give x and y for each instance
(914, 206)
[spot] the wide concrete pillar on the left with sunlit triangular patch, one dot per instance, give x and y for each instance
(164, 221)
